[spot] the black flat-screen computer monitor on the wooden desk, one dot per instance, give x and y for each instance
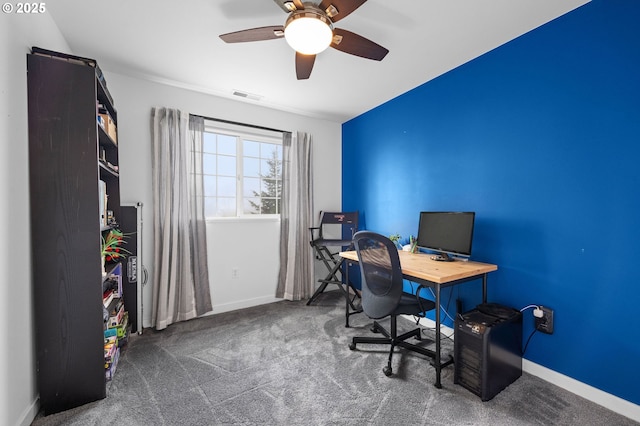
(447, 233)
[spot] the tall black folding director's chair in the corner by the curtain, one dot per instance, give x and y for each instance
(333, 234)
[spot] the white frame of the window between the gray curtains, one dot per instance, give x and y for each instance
(242, 133)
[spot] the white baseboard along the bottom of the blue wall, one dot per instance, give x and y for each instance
(611, 402)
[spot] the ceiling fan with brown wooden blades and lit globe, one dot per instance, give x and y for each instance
(309, 30)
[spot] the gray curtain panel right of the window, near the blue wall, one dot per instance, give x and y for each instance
(295, 279)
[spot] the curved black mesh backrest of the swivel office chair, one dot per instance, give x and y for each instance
(381, 273)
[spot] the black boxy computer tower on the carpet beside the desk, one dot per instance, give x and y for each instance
(488, 349)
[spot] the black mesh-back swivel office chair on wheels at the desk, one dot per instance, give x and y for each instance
(382, 294)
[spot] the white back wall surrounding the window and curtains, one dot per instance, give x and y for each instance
(249, 246)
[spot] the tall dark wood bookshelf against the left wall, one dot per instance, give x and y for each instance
(65, 142)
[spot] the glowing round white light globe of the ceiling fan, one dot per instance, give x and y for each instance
(308, 33)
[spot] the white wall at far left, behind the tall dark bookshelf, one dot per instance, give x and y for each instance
(18, 393)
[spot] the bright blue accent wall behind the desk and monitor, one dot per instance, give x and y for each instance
(541, 138)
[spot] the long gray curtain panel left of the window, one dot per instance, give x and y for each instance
(176, 285)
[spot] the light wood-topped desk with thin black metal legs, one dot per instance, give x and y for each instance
(420, 268)
